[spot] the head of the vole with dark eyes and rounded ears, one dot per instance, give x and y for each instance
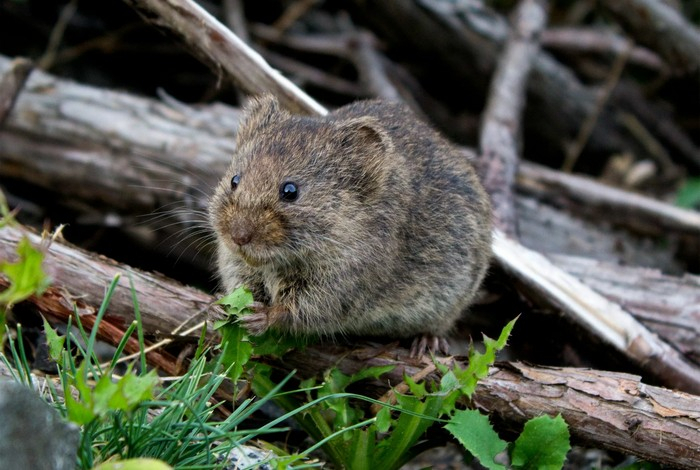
(300, 186)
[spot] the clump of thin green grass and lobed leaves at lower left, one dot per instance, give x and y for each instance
(134, 421)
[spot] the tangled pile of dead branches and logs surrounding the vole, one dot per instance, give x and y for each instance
(613, 261)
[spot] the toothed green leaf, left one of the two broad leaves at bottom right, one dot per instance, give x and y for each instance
(474, 431)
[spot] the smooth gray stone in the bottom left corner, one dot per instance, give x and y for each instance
(32, 434)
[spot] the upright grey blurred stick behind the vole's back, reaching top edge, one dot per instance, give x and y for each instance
(500, 133)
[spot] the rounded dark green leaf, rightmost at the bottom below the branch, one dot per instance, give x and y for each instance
(543, 444)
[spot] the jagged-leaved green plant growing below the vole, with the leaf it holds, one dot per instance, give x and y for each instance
(388, 440)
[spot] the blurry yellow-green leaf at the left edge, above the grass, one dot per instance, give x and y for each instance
(26, 275)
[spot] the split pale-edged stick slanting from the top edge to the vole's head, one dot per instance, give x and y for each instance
(218, 47)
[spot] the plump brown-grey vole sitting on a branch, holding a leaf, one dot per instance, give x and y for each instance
(363, 222)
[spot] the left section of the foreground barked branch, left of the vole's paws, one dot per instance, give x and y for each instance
(166, 306)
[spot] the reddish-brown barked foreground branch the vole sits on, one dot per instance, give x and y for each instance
(608, 410)
